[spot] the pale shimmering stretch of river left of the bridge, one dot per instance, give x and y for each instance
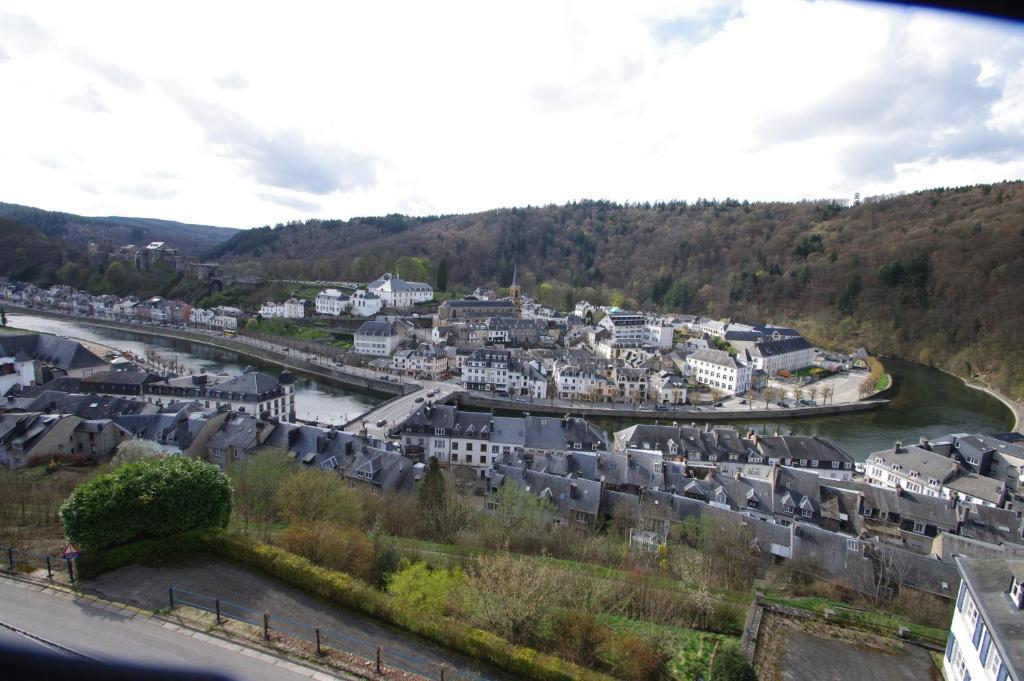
(315, 399)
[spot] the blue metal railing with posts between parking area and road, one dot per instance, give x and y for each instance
(322, 637)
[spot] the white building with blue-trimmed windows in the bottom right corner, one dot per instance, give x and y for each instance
(986, 642)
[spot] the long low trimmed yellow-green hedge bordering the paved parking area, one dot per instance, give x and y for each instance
(348, 591)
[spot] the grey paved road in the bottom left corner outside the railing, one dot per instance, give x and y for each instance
(105, 633)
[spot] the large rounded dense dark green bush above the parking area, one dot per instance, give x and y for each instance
(147, 499)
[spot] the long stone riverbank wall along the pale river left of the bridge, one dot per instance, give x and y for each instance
(345, 379)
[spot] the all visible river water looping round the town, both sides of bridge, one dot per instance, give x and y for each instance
(925, 401)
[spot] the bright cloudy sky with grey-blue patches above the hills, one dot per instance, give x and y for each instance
(245, 114)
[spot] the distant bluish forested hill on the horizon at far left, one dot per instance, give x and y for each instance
(78, 231)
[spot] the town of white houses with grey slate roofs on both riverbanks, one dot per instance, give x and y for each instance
(801, 497)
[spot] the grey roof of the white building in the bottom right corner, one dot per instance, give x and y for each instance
(989, 582)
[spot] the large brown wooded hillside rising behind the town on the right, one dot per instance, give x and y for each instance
(936, 276)
